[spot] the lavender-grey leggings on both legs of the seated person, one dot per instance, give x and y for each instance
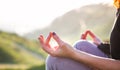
(56, 63)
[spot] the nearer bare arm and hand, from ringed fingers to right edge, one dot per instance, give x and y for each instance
(67, 51)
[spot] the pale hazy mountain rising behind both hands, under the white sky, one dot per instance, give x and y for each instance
(98, 18)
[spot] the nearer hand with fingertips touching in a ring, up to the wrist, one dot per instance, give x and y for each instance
(62, 50)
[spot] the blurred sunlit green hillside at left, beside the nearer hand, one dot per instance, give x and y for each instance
(18, 50)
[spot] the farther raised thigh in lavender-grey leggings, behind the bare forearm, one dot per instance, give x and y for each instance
(89, 47)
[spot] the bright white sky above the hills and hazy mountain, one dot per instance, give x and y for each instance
(24, 16)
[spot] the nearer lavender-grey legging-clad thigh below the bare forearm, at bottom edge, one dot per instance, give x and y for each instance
(55, 63)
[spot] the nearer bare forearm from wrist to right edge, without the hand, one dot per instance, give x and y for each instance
(96, 61)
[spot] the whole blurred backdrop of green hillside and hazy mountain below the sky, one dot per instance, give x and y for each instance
(24, 52)
